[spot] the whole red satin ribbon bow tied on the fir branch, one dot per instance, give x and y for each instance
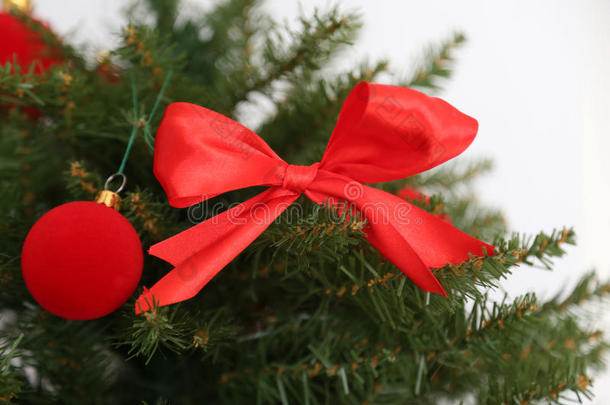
(383, 133)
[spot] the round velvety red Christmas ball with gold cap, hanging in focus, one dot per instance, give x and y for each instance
(82, 260)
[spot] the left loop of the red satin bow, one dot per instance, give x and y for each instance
(200, 153)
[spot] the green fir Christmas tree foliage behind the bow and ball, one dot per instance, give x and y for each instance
(309, 313)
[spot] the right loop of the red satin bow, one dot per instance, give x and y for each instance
(387, 133)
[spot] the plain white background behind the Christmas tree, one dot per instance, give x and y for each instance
(536, 74)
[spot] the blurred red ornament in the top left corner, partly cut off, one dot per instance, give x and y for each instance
(20, 41)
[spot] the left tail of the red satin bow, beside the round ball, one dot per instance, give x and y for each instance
(200, 252)
